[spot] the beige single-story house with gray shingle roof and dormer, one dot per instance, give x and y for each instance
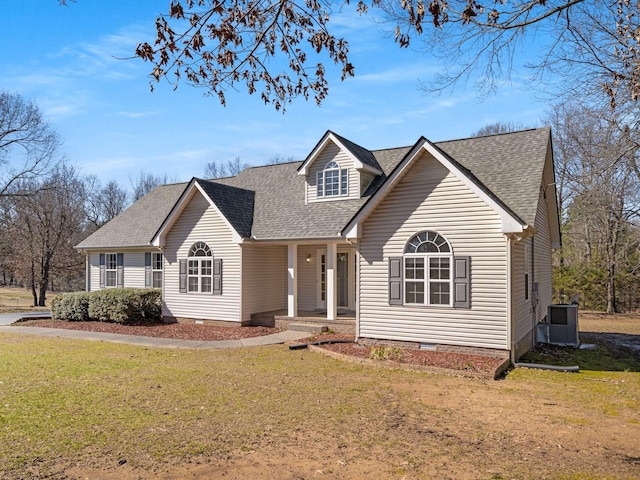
(447, 244)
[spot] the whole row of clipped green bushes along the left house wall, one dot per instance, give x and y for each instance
(118, 305)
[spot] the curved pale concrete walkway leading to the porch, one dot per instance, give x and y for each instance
(277, 338)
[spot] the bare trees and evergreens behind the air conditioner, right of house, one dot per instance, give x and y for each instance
(598, 184)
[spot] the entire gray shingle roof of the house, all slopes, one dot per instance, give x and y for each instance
(268, 202)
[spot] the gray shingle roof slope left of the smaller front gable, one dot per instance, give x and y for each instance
(137, 225)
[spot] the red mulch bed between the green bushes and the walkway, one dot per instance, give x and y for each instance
(183, 331)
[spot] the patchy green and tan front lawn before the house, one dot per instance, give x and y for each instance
(66, 402)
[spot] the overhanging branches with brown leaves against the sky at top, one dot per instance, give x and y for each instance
(217, 46)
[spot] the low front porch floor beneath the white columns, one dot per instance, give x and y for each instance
(344, 323)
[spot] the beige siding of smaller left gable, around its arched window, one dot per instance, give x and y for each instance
(200, 222)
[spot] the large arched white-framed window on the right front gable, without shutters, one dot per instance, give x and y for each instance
(427, 270)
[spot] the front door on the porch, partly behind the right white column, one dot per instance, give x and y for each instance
(345, 279)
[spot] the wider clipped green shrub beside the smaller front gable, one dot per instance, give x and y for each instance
(126, 305)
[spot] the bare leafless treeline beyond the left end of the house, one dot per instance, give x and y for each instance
(48, 206)
